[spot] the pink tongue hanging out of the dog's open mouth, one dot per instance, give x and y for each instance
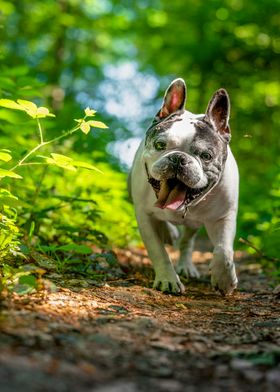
(170, 198)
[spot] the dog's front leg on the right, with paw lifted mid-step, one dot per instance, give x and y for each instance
(222, 233)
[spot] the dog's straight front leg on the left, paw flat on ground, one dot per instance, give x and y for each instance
(166, 278)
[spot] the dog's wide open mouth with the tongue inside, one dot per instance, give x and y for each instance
(173, 193)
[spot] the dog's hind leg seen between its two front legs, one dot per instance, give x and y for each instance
(185, 265)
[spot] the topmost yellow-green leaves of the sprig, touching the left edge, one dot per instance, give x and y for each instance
(28, 107)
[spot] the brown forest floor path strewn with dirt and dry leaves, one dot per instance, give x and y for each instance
(123, 336)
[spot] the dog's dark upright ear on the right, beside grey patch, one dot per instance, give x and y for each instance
(218, 111)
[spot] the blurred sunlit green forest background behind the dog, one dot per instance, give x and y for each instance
(117, 57)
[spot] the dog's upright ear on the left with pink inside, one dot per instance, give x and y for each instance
(174, 98)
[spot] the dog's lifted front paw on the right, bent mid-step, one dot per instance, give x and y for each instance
(223, 277)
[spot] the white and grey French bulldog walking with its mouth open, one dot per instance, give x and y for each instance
(184, 175)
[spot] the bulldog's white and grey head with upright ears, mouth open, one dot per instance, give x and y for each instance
(185, 153)
